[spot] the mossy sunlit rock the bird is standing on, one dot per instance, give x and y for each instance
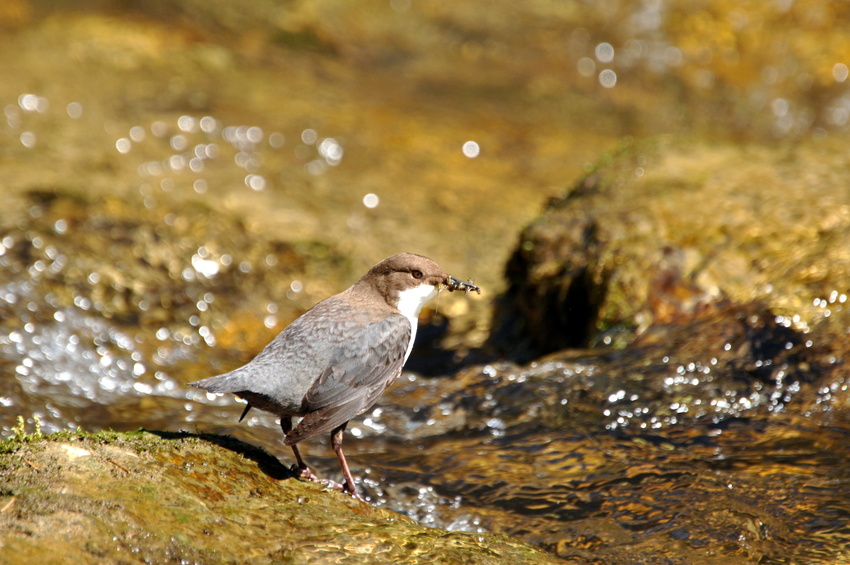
(178, 497)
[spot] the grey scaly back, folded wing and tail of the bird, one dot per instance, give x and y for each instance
(334, 362)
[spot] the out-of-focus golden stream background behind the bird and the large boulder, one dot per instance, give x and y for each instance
(182, 179)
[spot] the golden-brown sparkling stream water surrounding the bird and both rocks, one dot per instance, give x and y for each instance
(180, 182)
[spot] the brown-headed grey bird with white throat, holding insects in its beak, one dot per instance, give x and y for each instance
(334, 361)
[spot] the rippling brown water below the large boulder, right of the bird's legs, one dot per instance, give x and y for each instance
(696, 442)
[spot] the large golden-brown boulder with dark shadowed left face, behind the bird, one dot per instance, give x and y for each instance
(665, 229)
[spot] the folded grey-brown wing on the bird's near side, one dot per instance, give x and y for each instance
(356, 376)
